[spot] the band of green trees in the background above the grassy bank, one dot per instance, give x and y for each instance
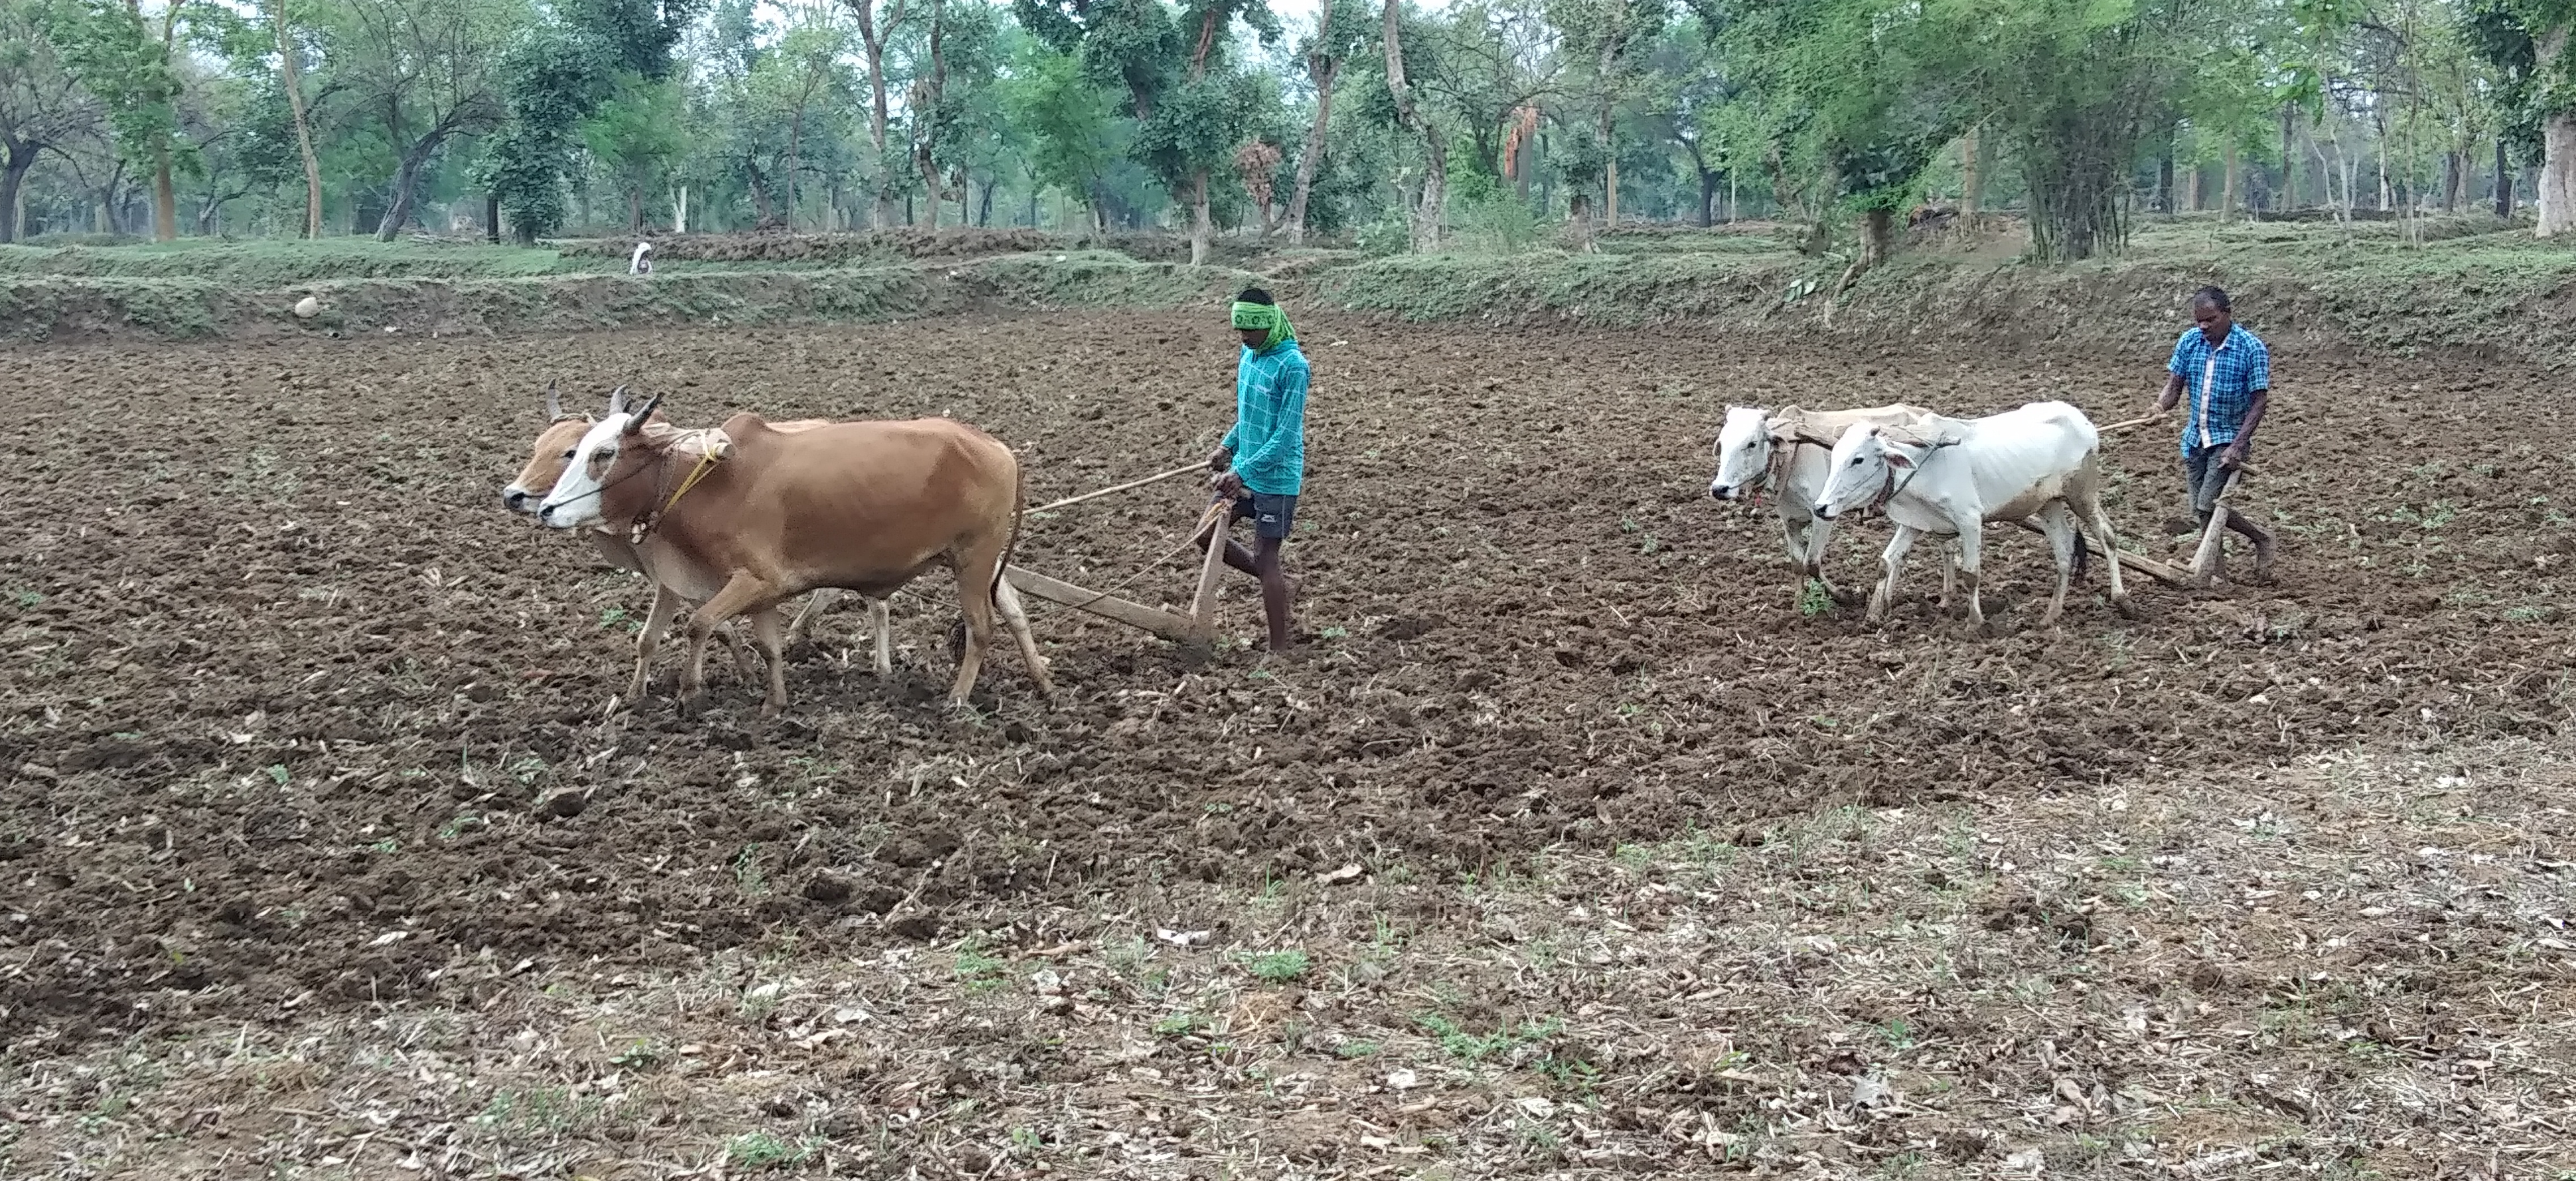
(1377, 125)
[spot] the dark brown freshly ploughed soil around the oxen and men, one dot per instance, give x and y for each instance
(285, 685)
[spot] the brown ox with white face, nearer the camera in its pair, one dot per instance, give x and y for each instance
(857, 507)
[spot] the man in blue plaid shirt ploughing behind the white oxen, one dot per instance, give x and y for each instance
(2230, 380)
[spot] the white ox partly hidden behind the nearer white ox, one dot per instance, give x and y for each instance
(1784, 455)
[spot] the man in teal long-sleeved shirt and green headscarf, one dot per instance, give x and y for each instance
(1264, 460)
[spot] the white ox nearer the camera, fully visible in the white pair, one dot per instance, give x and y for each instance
(1951, 476)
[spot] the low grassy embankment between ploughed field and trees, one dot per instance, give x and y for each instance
(2467, 285)
